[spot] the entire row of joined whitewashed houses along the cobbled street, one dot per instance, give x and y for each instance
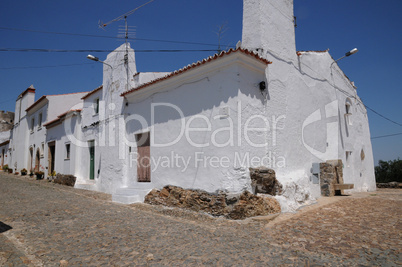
(203, 126)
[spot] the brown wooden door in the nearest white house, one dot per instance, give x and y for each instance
(144, 157)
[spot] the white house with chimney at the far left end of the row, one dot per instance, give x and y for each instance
(30, 148)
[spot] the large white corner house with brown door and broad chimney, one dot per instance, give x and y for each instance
(210, 121)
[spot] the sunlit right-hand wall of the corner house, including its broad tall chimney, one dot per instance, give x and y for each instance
(306, 89)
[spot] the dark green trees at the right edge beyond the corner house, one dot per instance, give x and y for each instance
(389, 171)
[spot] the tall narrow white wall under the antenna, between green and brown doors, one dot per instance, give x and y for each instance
(117, 78)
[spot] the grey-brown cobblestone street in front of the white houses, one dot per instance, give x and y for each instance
(55, 225)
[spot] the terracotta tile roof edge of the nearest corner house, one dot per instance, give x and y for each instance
(199, 63)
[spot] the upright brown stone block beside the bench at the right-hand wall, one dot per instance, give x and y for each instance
(331, 172)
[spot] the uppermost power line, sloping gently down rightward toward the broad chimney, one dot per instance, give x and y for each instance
(110, 37)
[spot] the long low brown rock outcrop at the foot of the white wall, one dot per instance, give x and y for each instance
(231, 206)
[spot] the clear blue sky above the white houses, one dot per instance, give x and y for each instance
(371, 26)
